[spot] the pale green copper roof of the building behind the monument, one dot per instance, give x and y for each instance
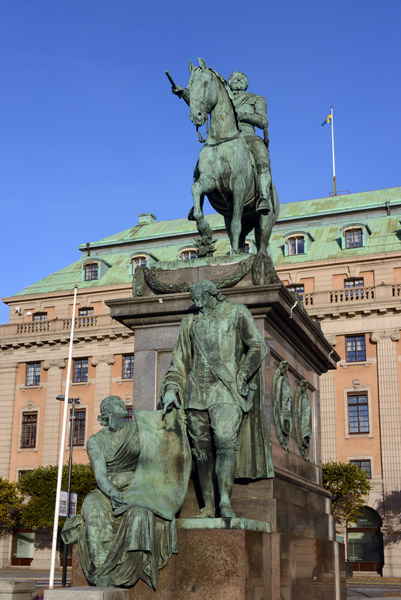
(329, 214)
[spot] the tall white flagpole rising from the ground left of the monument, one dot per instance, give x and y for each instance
(62, 444)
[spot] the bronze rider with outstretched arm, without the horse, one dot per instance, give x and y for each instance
(251, 110)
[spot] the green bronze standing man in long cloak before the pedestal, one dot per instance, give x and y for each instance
(215, 376)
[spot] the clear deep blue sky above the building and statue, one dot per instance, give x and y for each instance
(90, 134)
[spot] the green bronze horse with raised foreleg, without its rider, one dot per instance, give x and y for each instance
(225, 171)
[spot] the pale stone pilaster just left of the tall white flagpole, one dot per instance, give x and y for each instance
(51, 432)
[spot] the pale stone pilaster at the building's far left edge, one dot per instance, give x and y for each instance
(8, 371)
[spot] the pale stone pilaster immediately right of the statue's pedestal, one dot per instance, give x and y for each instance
(328, 412)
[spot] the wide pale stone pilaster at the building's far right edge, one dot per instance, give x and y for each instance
(390, 417)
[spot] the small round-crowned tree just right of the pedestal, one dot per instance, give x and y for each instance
(348, 486)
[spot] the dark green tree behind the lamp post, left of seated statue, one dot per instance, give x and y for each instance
(39, 489)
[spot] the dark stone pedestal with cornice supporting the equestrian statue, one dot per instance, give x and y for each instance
(301, 549)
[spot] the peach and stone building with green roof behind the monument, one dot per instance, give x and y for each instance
(340, 254)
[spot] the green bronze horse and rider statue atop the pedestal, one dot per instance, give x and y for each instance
(233, 169)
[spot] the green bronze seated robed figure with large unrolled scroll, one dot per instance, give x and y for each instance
(126, 530)
